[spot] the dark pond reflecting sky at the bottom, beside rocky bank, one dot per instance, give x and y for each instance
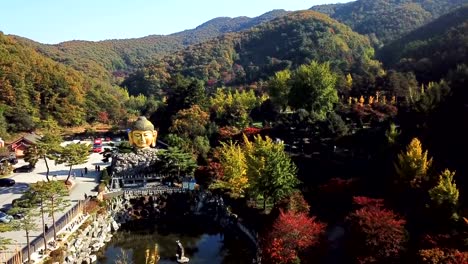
(203, 243)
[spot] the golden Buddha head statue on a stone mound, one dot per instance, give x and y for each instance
(142, 134)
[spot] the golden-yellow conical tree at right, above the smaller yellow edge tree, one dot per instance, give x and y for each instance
(413, 165)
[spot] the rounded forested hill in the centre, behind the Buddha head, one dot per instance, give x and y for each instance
(256, 54)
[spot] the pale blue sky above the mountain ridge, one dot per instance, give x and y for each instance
(53, 21)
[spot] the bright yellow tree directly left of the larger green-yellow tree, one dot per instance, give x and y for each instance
(234, 166)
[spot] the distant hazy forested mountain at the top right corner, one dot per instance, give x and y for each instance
(387, 20)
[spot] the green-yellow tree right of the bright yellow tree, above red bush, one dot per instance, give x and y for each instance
(270, 171)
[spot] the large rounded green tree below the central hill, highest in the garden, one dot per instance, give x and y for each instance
(313, 89)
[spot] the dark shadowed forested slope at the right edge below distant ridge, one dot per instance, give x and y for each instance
(432, 50)
